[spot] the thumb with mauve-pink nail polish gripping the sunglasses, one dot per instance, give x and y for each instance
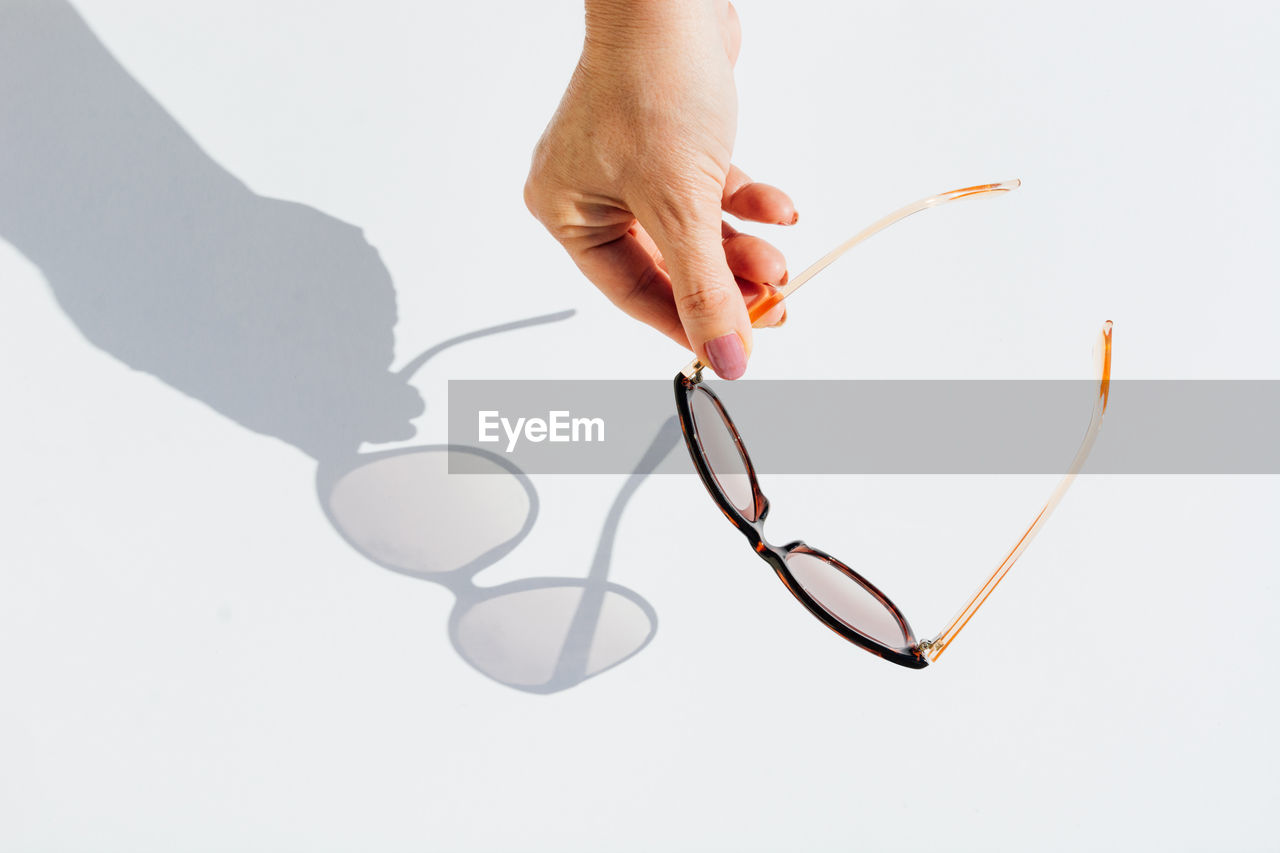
(708, 300)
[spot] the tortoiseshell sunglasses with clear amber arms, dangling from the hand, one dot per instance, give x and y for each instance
(840, 597)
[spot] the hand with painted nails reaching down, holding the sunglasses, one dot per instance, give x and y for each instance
(634, 171)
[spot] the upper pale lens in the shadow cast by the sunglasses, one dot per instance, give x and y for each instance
(409, 513)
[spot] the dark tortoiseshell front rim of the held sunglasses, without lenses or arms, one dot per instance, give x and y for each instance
(776, 556)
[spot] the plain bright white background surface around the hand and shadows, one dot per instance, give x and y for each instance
(194, 660)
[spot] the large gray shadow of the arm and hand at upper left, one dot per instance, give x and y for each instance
(272, 313)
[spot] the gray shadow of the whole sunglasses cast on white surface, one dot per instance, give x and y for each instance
(405, 512)
